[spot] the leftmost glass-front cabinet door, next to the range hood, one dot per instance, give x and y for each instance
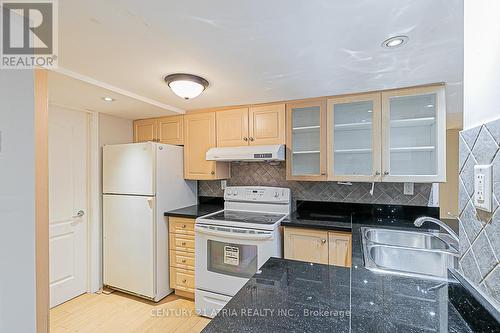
(306, 140)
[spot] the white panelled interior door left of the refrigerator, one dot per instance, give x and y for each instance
(68, 139)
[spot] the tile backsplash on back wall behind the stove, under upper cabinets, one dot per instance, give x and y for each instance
(265, 174)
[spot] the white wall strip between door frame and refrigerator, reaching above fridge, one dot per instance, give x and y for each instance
(112, 130)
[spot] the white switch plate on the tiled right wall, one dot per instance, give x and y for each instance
(483, 187)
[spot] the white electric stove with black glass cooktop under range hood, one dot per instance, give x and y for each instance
(232, 244)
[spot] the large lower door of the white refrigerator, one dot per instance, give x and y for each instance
(129, 243)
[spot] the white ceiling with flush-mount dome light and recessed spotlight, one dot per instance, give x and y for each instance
(261, 51)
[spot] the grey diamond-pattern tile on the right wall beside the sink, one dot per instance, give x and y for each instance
(480, 231)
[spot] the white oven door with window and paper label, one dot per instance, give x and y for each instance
(226, 257)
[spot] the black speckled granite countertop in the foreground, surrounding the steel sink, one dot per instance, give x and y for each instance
(293, 296)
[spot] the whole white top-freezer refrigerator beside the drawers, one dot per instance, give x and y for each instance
(141, 181)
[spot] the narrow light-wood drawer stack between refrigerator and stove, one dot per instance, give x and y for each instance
(181, 248)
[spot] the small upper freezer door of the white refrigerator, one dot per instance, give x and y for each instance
(129, 169)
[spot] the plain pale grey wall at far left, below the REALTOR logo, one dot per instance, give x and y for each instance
(17, 201)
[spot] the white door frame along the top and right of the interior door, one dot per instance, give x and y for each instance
(94, 230)
